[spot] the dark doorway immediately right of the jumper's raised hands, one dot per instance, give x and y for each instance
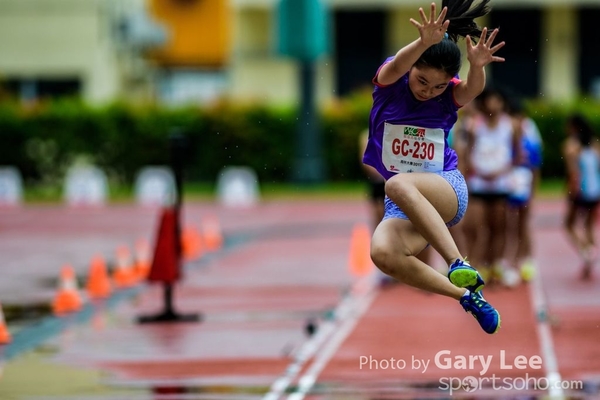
(520, 30)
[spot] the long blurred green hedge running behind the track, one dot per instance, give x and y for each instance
(43, 141)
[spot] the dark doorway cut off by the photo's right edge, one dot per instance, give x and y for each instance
(589, 61)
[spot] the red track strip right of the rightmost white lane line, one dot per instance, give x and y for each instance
(573, 305)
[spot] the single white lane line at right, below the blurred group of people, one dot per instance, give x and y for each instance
(544, 331)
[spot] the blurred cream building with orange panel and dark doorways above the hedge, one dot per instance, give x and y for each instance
(179, 51)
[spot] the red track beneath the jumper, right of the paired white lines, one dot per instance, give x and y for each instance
(411, 344)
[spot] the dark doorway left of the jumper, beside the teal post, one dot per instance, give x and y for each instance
(359, 47)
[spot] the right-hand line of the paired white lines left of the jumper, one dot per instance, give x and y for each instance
(307, 381)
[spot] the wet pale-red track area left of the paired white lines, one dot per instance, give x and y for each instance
(288, 264)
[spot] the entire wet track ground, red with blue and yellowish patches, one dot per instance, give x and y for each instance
(284, 267)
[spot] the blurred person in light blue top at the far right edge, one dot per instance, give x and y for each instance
(581, 153)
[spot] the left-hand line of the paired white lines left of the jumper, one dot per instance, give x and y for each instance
(325, 331)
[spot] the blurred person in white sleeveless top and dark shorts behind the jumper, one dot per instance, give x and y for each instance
(492, 144)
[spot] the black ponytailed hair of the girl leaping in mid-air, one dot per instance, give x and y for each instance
(462, 14)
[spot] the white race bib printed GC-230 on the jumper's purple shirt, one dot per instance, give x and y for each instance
(412, 149)
